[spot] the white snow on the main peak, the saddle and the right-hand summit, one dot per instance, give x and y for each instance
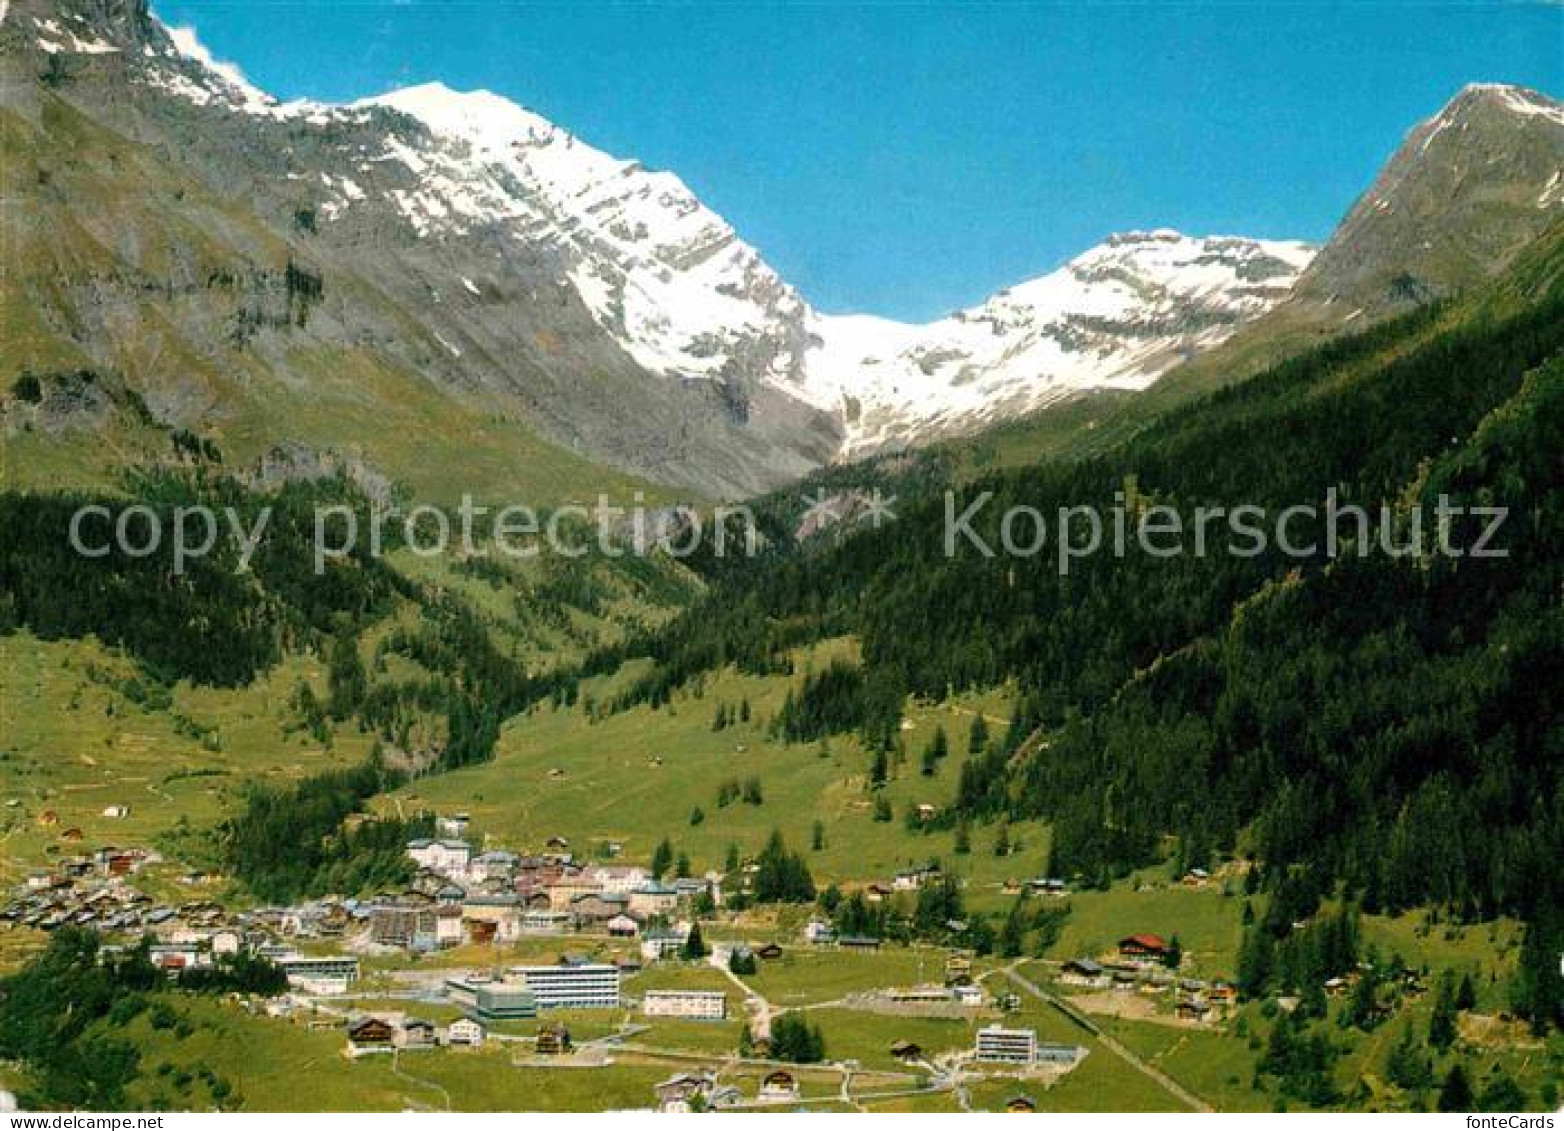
(687, 298)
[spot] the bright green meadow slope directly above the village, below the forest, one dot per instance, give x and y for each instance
(639, 775)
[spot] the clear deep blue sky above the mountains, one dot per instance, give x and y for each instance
(909, 159)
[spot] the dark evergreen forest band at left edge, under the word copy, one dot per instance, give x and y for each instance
(210, 623)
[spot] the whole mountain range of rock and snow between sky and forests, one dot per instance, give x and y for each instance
(301, 273)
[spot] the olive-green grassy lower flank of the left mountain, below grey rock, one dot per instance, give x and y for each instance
(77, 188)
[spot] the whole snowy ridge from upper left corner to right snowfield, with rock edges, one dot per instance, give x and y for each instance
(498, 192)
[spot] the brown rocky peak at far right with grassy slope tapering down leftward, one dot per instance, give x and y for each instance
(1465, 193)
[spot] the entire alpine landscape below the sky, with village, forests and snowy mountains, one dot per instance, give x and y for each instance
(867, 820)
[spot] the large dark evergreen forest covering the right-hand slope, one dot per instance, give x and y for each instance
(1383, 722)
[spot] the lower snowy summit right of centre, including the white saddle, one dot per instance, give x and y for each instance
(1116, 317)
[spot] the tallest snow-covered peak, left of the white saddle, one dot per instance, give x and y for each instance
(661, 271)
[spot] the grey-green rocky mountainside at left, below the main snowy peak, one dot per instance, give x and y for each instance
(328, 276)
